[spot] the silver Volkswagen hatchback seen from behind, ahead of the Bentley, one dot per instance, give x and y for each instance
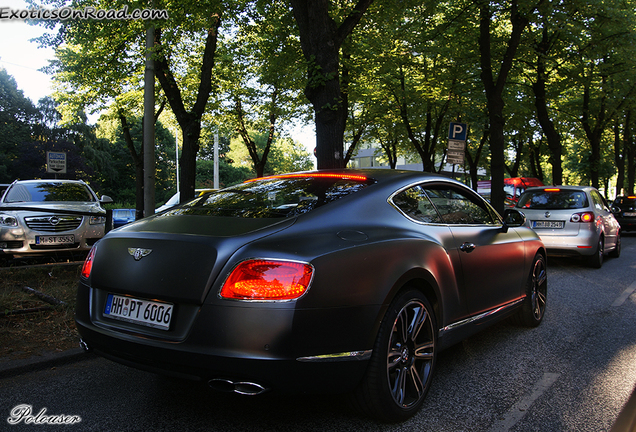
(572, 221)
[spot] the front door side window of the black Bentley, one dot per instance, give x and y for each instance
(458, 208)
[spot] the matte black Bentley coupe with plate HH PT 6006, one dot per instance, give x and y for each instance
(328, 281)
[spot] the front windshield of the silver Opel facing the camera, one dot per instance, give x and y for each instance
(48, 191)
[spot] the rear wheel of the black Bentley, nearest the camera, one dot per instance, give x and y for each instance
(403, 361)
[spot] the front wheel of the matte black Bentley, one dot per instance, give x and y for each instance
(533, 307)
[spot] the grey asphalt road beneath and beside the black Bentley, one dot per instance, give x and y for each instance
(573, 373)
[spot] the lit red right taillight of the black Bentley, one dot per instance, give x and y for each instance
(268, 280)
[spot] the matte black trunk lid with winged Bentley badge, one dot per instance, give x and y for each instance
(178, 257)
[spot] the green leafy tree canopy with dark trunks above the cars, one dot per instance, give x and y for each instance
(546, 87)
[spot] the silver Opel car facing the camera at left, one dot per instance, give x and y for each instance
(41, 217)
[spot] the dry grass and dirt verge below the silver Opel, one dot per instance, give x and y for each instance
(52, 329)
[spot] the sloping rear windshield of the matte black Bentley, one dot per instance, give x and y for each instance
(272, 198)
